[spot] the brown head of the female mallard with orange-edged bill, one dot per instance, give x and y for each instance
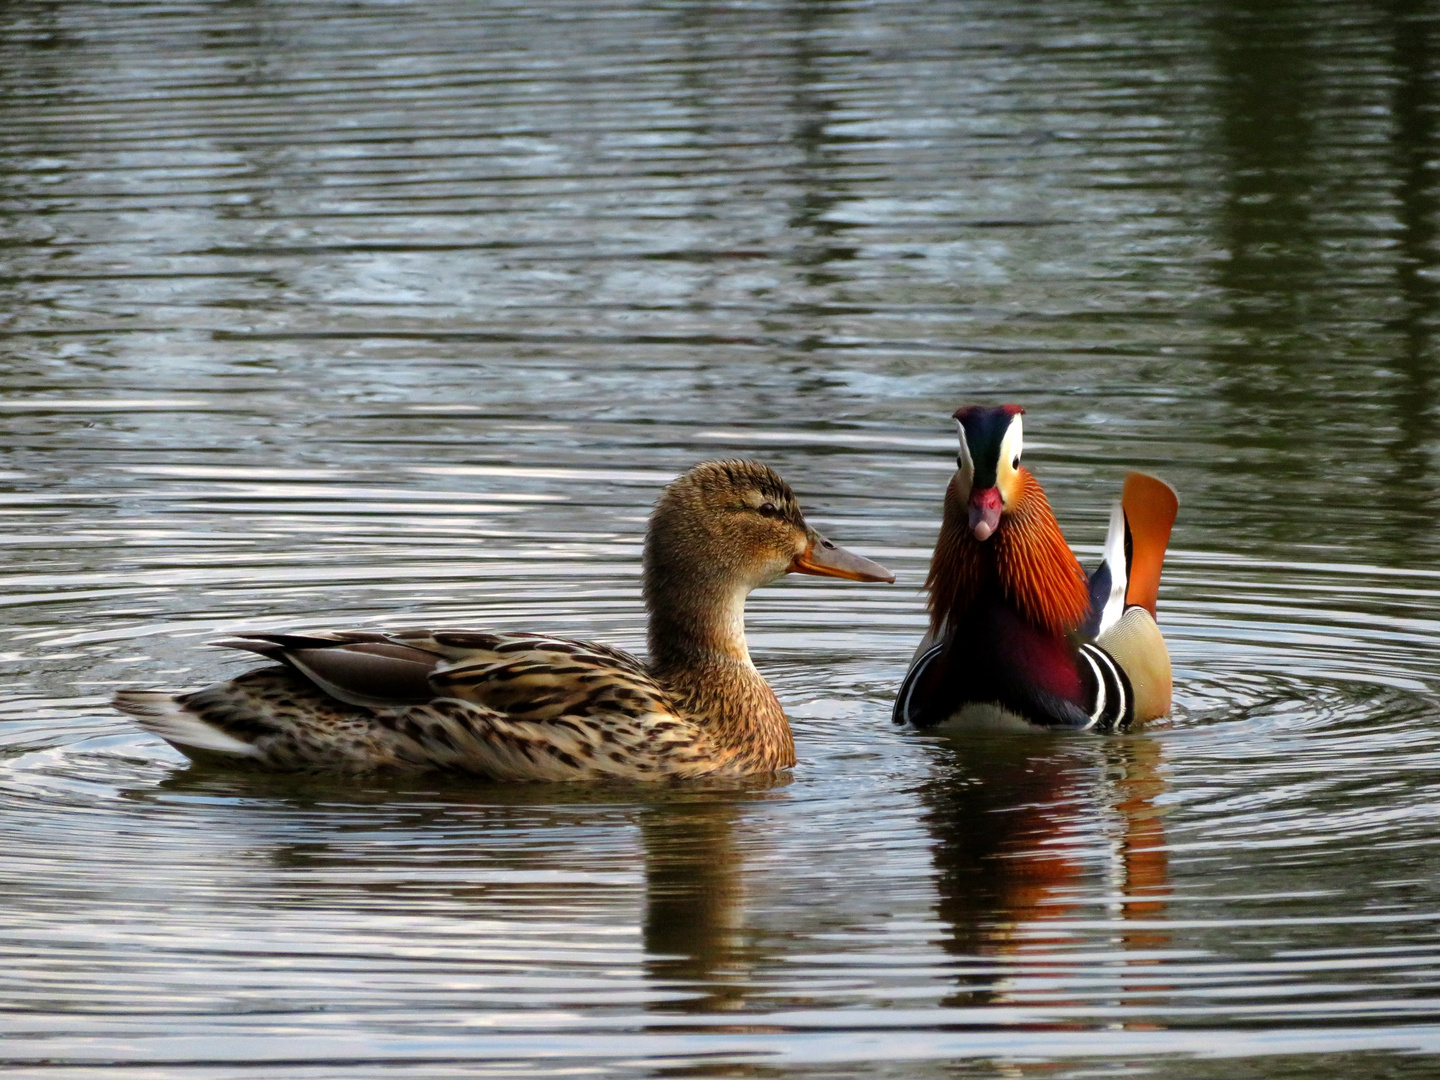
(735, 526)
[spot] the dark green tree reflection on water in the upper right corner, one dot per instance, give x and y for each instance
(1310, 322)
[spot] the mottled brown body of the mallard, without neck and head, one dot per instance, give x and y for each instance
(509, 706)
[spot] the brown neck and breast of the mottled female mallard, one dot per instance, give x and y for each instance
(698, 653)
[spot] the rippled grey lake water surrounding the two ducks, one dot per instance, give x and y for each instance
(359, 315)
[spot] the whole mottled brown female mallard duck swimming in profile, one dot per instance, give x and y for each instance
(525, 706)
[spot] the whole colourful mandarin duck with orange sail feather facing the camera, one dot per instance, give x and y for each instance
(1020, 637)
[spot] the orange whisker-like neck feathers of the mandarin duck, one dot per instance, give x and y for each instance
(1027, 561)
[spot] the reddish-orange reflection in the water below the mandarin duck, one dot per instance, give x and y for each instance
(1023, 827)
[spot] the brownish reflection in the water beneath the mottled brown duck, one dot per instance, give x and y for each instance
(508, 852)
